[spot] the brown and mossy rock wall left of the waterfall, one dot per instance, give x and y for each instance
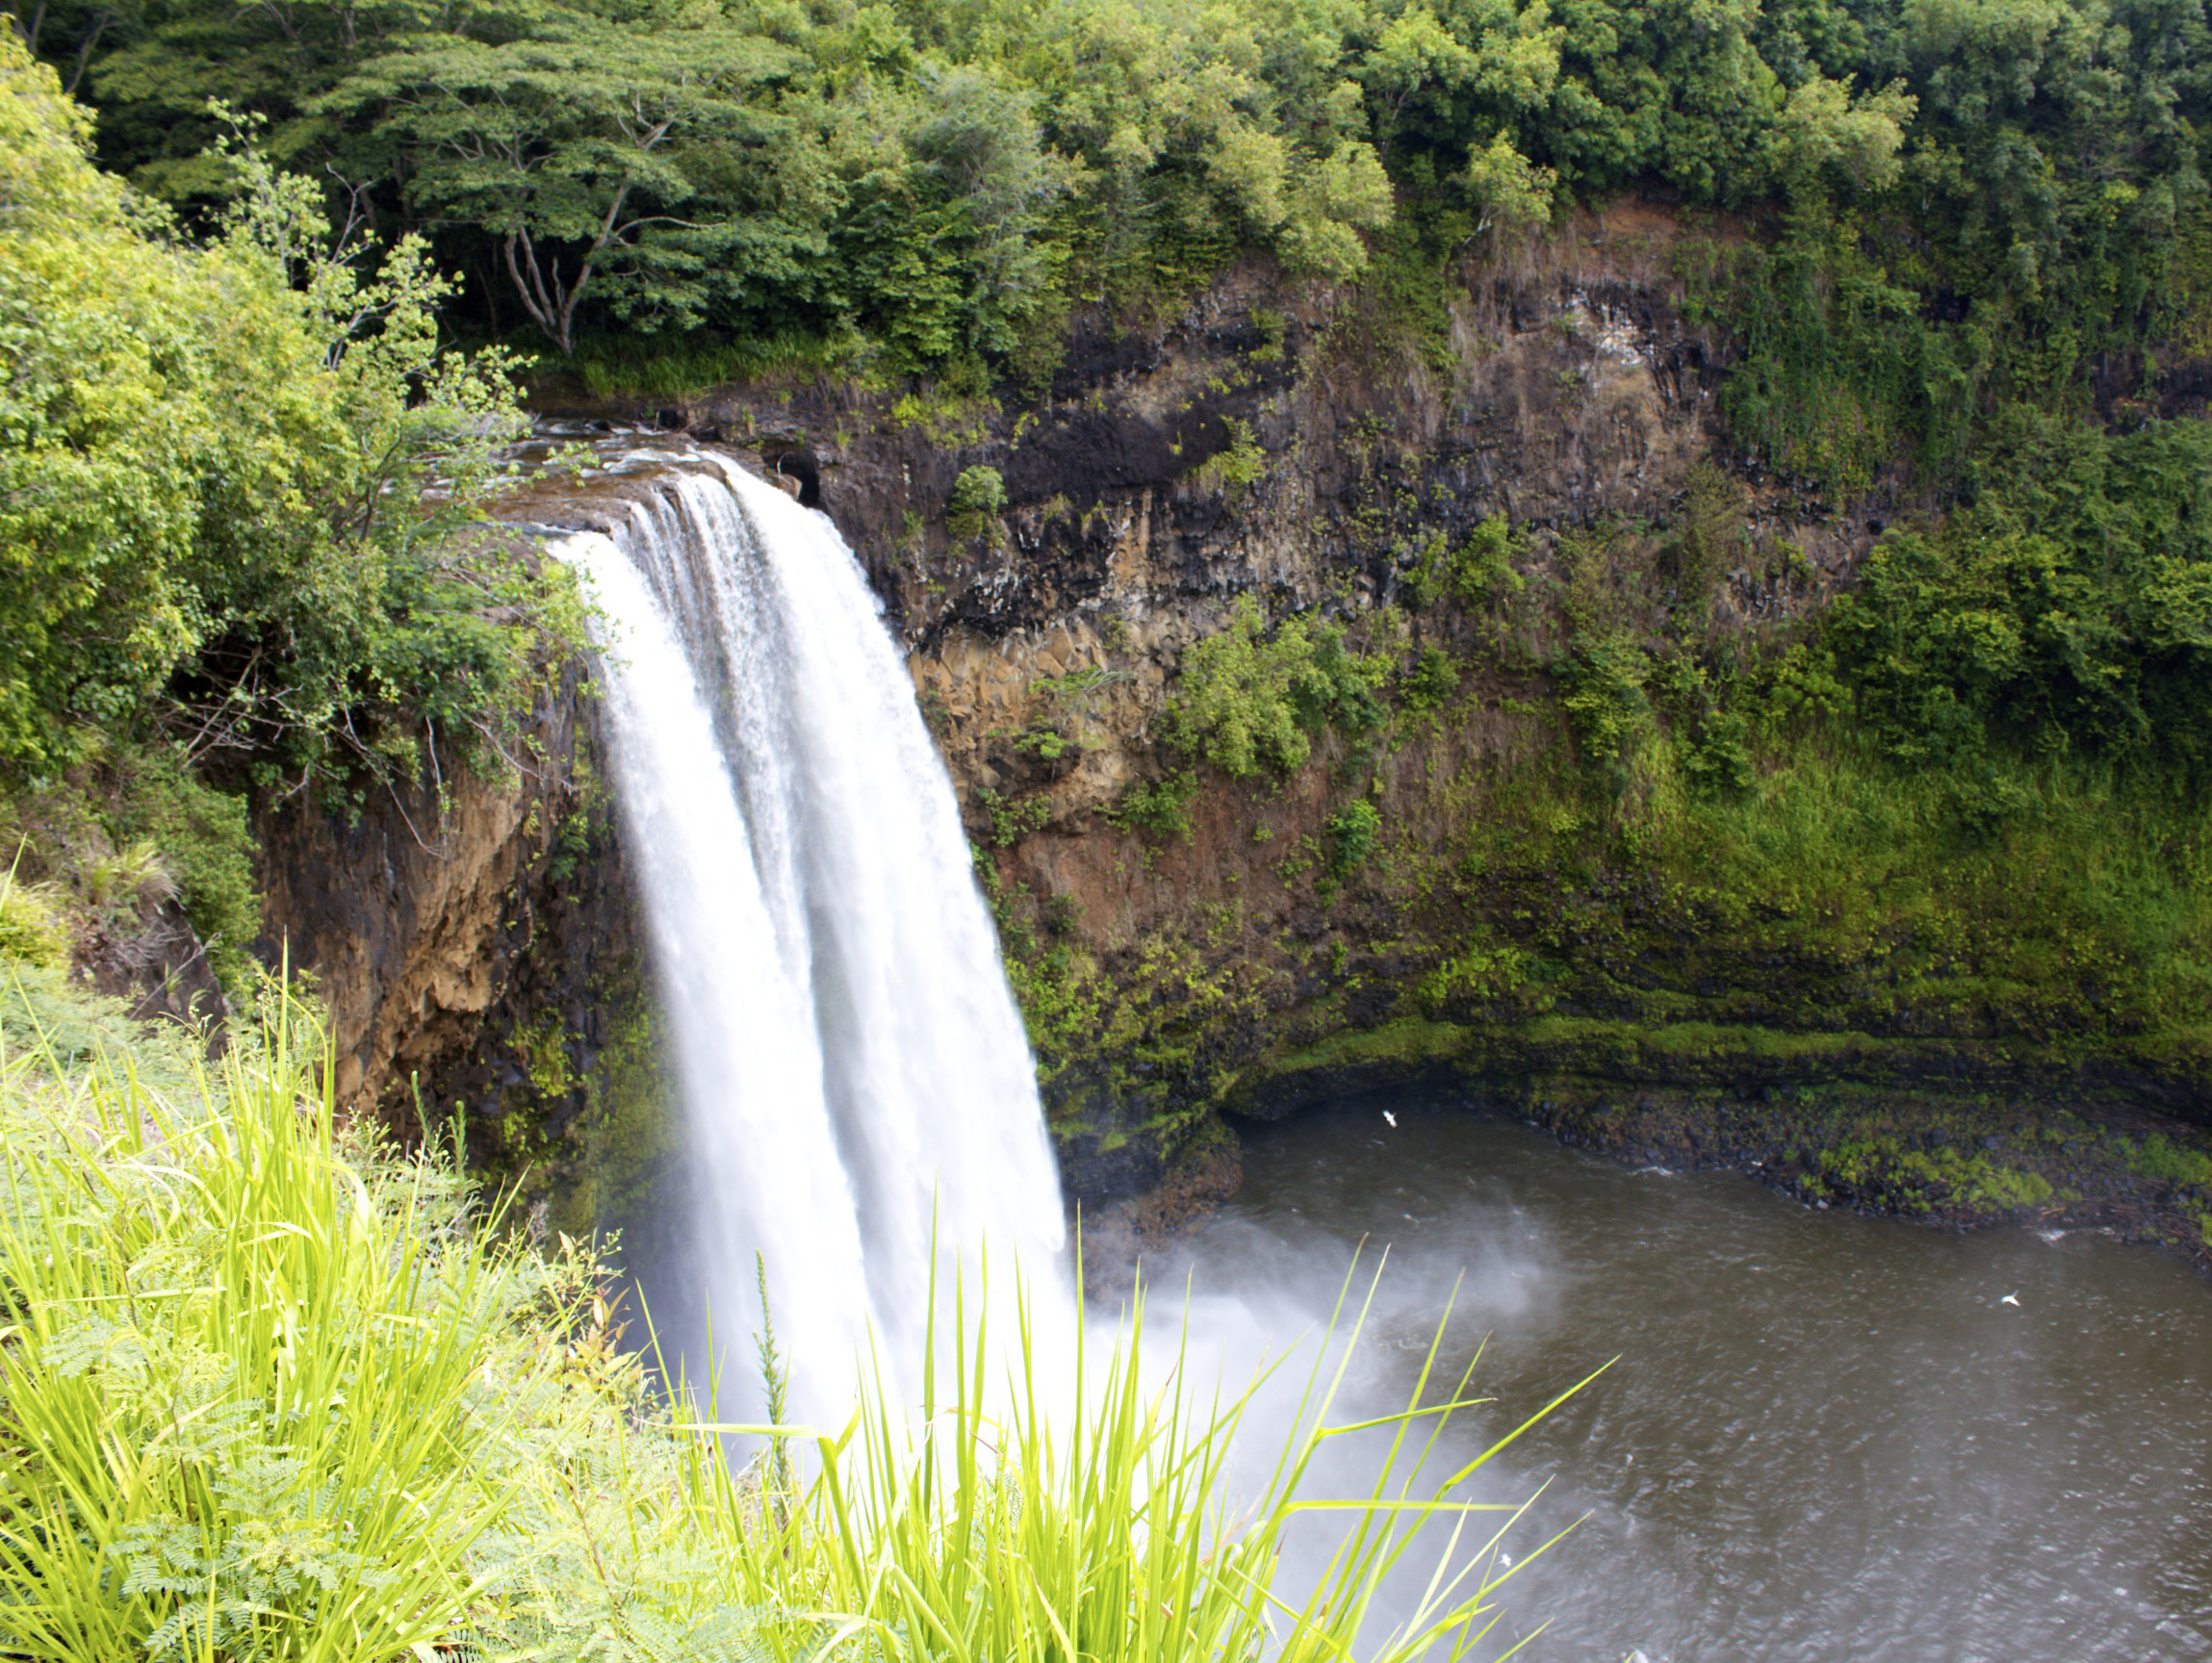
(479, 954)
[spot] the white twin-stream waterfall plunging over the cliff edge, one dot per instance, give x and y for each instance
(855, 1074)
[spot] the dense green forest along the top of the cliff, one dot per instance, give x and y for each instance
(1990, 198)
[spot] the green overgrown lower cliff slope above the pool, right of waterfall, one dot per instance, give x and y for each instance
(1945, 835)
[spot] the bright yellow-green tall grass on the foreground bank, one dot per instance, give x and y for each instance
(273, 1388)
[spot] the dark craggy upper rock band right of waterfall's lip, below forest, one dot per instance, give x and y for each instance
(1275, 439)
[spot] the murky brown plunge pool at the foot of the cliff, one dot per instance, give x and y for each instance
(1826, 1436)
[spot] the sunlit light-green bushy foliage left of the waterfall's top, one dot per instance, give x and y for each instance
(236, 474)
